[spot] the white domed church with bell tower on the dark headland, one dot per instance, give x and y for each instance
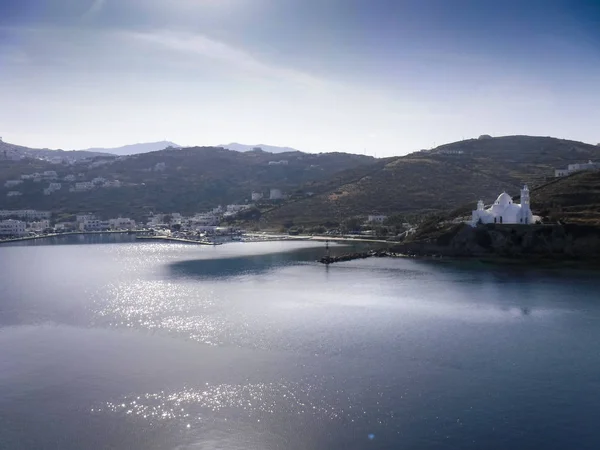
(504, 210)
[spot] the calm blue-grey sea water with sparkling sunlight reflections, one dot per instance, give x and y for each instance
(125, 345)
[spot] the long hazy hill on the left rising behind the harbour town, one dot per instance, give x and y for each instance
(184, 180)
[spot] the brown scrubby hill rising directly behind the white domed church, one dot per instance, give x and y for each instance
(441, 179)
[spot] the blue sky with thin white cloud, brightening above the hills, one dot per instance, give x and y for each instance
(381, 77)
